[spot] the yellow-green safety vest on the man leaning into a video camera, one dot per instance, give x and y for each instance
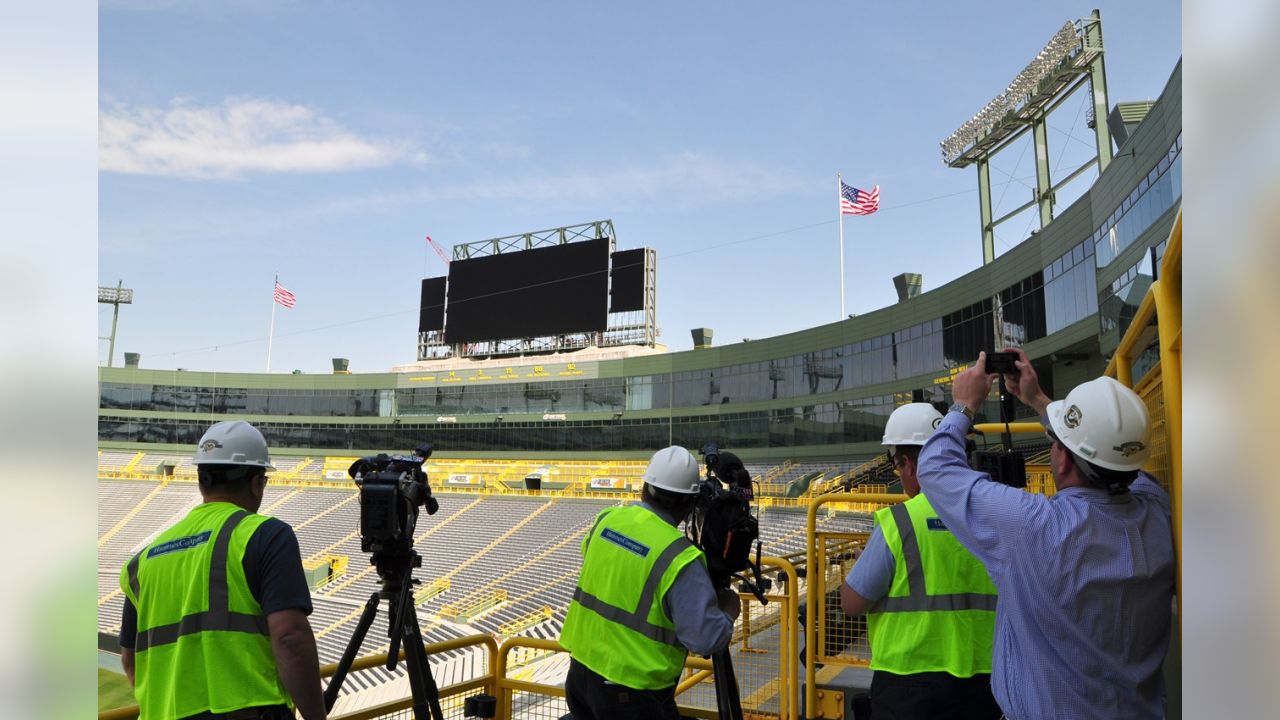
(616, 623)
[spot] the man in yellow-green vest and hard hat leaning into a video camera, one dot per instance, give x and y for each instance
(644, 600)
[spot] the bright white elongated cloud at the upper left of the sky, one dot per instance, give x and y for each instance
(241, 135)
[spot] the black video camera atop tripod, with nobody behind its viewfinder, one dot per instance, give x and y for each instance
(392, 489)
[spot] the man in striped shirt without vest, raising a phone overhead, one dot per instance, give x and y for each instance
(1086, 577)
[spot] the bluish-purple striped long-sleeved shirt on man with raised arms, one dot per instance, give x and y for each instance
(1086, 586)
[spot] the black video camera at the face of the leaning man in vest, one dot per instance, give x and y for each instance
(723, 525)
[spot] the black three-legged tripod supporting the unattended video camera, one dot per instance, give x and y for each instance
(396, 569)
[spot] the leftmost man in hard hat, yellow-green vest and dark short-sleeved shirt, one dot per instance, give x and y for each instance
(216, 614)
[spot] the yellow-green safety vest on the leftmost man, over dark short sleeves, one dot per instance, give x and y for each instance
(203, 641)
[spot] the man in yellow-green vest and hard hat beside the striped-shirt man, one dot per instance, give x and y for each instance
(931, 607)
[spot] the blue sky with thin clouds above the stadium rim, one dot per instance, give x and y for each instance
(323, 140)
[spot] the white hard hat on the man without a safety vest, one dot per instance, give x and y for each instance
(1104, 423)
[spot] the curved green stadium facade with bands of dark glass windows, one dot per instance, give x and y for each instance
(1067, 295)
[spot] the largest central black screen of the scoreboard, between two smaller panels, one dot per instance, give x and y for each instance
(546, 291)
